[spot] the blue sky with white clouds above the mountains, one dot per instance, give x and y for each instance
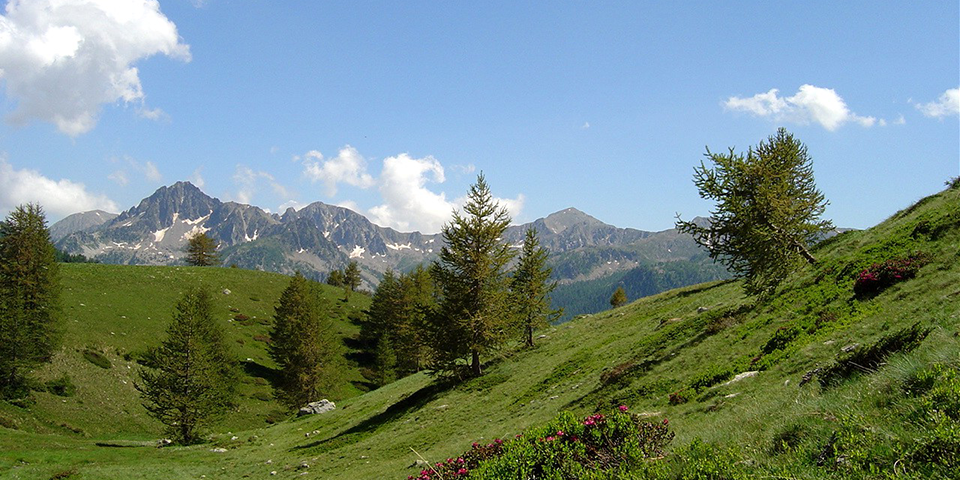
(393, 108)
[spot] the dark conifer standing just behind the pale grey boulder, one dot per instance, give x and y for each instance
(303, 345)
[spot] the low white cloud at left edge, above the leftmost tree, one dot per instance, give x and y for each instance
(58, 198)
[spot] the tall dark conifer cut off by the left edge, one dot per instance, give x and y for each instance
(29, 296)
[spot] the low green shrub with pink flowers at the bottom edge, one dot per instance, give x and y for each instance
(569, 447)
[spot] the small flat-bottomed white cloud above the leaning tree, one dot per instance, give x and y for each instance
(809, 105)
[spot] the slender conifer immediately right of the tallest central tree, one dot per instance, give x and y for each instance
(530, 288)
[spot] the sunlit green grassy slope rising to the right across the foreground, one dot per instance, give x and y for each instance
(885, 400)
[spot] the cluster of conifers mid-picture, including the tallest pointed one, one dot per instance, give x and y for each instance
(447, 316)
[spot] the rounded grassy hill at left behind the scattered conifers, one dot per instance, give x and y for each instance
(113, 313)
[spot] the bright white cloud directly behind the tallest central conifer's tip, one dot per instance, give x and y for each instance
(407, 202)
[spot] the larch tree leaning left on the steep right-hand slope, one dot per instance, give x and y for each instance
(767, 211)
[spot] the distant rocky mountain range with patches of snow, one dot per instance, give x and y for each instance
(589, 257)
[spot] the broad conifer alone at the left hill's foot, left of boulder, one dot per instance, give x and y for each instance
(193, 376)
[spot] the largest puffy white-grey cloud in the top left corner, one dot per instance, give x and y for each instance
(60, 60)
